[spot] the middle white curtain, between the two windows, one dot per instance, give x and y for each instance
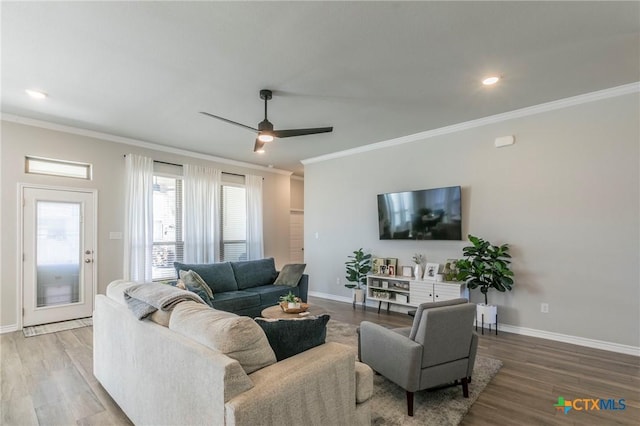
(201, 214)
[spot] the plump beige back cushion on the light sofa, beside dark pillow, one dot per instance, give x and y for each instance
(237, 337)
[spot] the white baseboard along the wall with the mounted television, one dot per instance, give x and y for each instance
(549, 335)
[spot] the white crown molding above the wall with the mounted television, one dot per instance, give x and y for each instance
(518, 113)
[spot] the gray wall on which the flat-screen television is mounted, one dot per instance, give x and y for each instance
(565, 197)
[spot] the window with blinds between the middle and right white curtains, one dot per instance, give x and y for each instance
(233, 239)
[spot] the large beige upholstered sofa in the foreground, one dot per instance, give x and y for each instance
(197, 365)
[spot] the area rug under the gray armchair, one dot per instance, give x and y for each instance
(440, 407)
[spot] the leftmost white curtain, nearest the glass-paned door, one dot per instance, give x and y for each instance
(138, 222)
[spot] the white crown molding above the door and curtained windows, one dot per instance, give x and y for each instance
(134, 142)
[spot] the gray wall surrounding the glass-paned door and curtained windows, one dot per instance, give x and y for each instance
(107, 158)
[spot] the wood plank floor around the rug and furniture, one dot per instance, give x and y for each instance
(47, 379)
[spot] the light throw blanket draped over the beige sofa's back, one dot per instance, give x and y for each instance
(145, 299)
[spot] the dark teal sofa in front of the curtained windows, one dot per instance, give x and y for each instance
(244, 288)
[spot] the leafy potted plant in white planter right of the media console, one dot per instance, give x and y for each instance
(485, 266)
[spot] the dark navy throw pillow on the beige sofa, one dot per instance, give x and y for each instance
(289, 337)
